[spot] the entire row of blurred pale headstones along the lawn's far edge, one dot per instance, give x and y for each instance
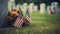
(31, 7)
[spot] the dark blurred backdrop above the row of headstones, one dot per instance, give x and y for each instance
(37, 2)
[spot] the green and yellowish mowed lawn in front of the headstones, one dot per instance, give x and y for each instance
(41, 24)
